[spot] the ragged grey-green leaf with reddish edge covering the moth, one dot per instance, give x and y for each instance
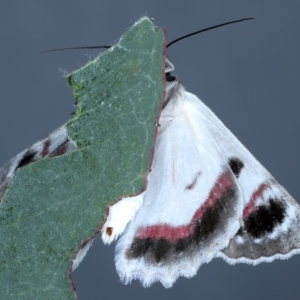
(55, 204)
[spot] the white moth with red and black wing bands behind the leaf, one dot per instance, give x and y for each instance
(206, 197)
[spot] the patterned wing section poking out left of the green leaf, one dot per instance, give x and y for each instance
(55, 144)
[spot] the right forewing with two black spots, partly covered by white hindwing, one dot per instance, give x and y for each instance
(270, 220)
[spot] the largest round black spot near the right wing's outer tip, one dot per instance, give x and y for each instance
(263, 220)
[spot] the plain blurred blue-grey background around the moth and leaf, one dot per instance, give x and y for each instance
(248, 74)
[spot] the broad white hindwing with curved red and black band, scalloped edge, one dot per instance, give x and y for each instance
(191, 205)
